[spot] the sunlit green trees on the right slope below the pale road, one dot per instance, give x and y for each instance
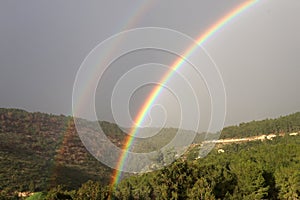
(253, 170)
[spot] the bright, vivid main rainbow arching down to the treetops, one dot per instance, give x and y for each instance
(156, 91)
